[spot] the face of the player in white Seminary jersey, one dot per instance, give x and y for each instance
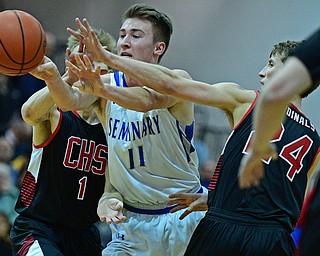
(136, 40)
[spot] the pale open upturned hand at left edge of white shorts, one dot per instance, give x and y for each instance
(110, 210)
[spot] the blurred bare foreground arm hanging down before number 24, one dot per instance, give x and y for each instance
(270, 110)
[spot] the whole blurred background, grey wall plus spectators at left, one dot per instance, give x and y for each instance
(214, 40)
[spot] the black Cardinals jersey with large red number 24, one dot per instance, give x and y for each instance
(280, 195)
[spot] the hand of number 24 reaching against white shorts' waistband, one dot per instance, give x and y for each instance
(193, 202)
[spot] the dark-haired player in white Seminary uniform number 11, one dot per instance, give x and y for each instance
(150, 144)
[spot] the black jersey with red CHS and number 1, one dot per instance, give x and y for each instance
(65, 177)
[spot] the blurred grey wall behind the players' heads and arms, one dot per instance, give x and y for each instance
(214, 40)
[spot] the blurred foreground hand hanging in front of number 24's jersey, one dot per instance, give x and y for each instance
(251, 167)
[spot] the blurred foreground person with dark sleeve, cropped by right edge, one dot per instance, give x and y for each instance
(300, 73)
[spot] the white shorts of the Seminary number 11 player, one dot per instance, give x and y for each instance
(152, 235)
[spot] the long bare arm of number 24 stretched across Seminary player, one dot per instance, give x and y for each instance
(225, 96)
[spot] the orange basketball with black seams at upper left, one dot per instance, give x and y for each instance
(22, 42)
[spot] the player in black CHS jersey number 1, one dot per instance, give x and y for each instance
(65, 177)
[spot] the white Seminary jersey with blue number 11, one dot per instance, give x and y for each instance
(150, 154)
